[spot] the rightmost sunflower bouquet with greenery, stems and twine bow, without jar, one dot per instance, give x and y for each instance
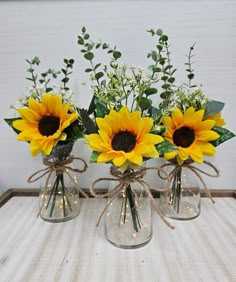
(190, 120)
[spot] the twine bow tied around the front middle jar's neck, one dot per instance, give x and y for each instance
(125, 179)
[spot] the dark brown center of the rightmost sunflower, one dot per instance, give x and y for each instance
(184, 137)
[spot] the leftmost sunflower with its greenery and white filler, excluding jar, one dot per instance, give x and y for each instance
(47, 116)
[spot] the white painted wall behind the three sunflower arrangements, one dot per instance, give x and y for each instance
(49, 29)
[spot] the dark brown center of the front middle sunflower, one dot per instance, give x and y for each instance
(123, 141)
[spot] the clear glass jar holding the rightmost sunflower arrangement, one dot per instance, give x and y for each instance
(182, 201)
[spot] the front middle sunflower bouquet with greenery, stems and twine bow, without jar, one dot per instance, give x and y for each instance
(124, 132)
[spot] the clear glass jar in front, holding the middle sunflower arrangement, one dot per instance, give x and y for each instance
(128, 218)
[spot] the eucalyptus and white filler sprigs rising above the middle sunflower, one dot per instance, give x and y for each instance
(115, 84)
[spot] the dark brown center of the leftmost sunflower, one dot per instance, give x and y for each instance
(48, 125)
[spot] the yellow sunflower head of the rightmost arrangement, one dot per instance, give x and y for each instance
(191, 134)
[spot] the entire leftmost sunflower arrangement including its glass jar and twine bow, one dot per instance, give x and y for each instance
(49, 120)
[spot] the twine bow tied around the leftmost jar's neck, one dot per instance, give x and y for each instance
(59, 167)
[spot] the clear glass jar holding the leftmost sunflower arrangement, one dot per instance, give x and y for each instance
(59, 195)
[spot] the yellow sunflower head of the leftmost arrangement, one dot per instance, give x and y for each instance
(42, 124)
